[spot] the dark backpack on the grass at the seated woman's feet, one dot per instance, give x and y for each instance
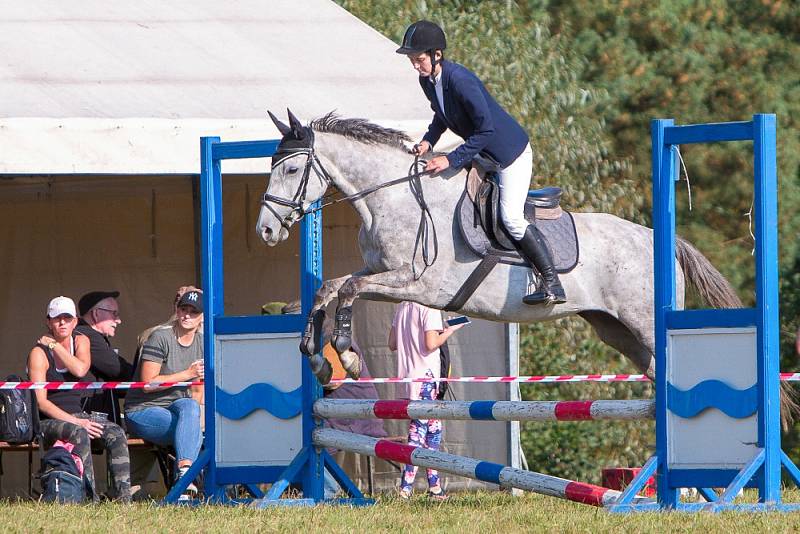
(60, 478)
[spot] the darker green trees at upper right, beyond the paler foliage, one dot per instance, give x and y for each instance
(706, 61)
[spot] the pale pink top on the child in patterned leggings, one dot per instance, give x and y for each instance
(411, 321)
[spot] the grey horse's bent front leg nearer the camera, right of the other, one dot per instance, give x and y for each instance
(398, 284)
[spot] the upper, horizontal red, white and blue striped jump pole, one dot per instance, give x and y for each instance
(607, 410)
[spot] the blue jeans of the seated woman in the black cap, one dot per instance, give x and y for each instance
(177, 425)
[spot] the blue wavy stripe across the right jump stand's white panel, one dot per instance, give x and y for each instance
(736, 403)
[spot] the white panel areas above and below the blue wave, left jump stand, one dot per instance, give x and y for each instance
(260, 438)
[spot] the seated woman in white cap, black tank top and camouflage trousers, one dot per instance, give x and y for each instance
(63, 355)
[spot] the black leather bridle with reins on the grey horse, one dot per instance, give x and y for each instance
(313, 162)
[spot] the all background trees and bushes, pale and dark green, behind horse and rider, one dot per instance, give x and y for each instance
(585, 78)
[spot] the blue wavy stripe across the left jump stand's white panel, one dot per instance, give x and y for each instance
(281, 404)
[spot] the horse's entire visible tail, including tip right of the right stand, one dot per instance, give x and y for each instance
(715, 289)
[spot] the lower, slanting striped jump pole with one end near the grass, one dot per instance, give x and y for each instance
(508, 477)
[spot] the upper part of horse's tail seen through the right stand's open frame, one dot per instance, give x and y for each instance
(712, 286)
